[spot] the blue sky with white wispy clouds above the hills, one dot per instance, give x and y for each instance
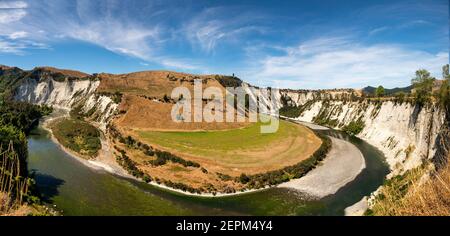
(289, 44)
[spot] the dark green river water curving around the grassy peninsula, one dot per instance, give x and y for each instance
(77, 190)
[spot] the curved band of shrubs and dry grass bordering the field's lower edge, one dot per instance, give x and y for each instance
(140, 159)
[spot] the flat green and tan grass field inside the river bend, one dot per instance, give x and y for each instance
(240, 147)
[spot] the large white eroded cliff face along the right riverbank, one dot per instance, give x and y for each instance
(406, 133)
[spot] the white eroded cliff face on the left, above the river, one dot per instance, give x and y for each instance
(69, 94)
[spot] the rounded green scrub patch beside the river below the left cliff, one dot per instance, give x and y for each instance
(78, 136)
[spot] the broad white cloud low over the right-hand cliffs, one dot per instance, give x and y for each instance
(342, 62)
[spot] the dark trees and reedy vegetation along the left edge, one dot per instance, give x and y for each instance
(18, 195)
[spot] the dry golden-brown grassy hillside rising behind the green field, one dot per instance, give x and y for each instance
(139, 90)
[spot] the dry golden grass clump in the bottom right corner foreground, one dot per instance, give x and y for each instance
(416, 195)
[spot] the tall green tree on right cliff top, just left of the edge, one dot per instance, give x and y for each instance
(423, 86)
